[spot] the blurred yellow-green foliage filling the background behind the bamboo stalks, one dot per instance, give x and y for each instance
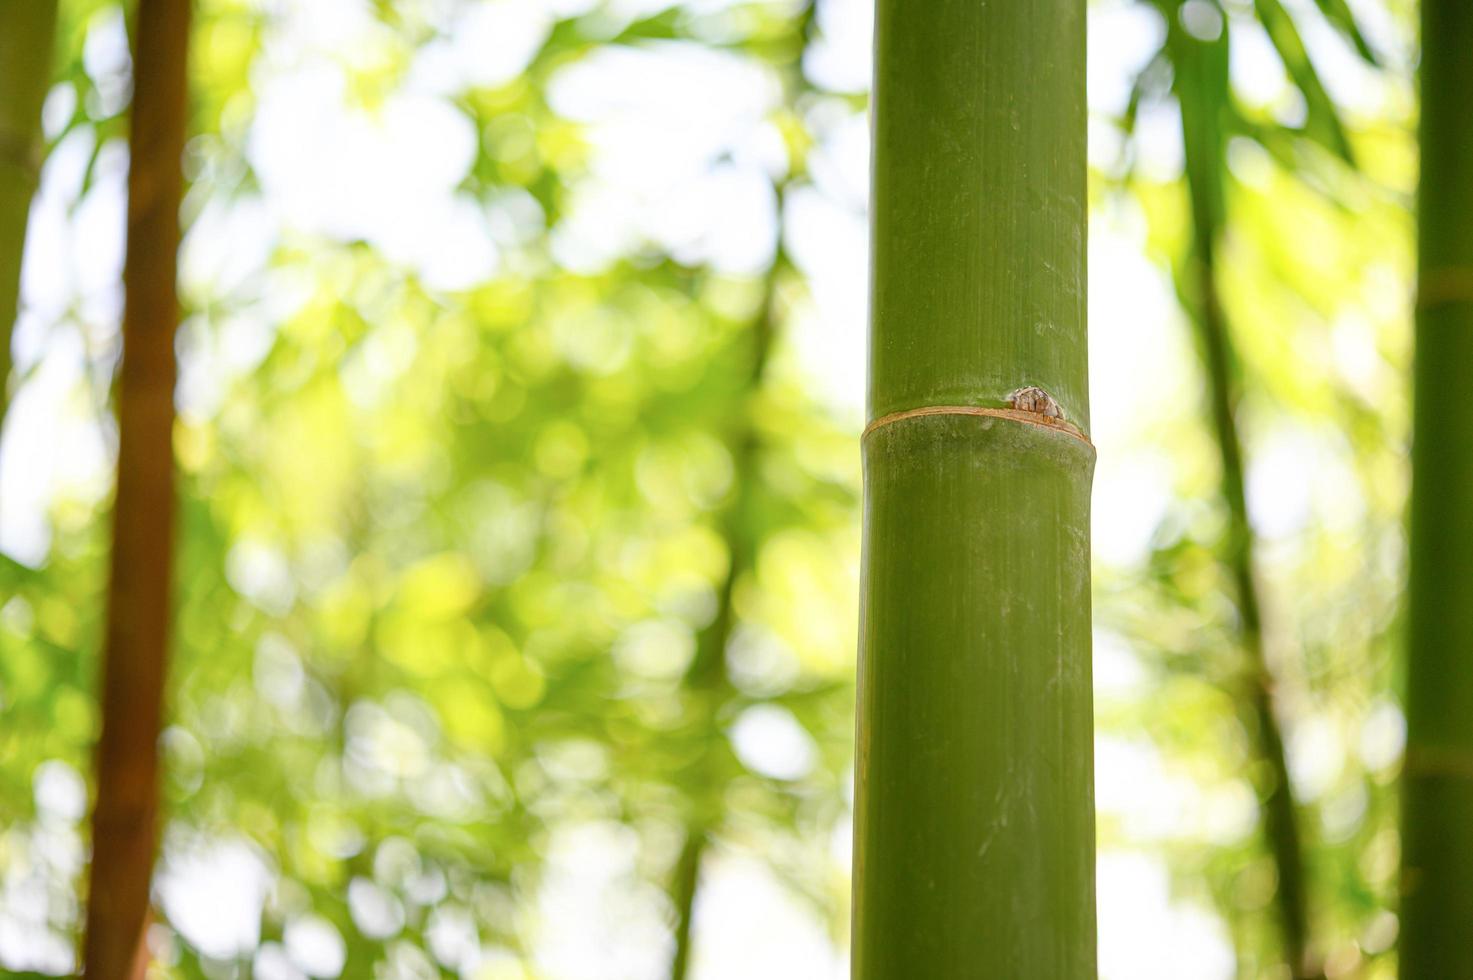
(449, 556)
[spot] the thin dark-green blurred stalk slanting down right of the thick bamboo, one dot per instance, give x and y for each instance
(1203, 89)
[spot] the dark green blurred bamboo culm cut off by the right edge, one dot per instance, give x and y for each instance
(1438, 773)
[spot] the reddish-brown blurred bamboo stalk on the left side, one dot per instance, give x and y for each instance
(135, 655)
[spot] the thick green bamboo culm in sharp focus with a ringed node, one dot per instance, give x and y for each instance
(974, 839)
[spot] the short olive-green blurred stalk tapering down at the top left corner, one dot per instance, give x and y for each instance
(27, 35)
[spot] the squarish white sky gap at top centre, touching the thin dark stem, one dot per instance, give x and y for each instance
(683, 157)
